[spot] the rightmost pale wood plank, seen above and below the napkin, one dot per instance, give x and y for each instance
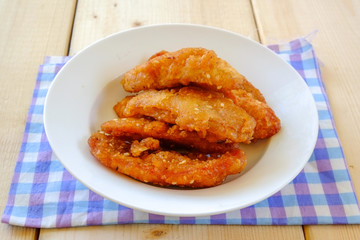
(337, 46)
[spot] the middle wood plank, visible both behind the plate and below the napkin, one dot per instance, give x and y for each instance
(97, 19)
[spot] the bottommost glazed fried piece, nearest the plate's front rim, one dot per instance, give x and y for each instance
(166, 168)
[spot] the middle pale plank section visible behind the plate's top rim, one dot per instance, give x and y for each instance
(97, 19)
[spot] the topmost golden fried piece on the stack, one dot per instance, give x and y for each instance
(197, 66)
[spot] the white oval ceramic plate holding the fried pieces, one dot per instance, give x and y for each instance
(85, 90)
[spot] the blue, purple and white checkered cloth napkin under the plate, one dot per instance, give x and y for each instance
(43, 194)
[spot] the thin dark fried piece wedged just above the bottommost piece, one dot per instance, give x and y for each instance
(138, 128)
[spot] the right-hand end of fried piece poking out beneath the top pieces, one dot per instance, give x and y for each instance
(267, 123)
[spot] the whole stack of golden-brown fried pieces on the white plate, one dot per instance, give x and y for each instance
(184, 125)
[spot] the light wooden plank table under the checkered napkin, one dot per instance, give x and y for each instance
(33, 29)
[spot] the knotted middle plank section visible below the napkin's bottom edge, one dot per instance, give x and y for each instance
(154, 231)
